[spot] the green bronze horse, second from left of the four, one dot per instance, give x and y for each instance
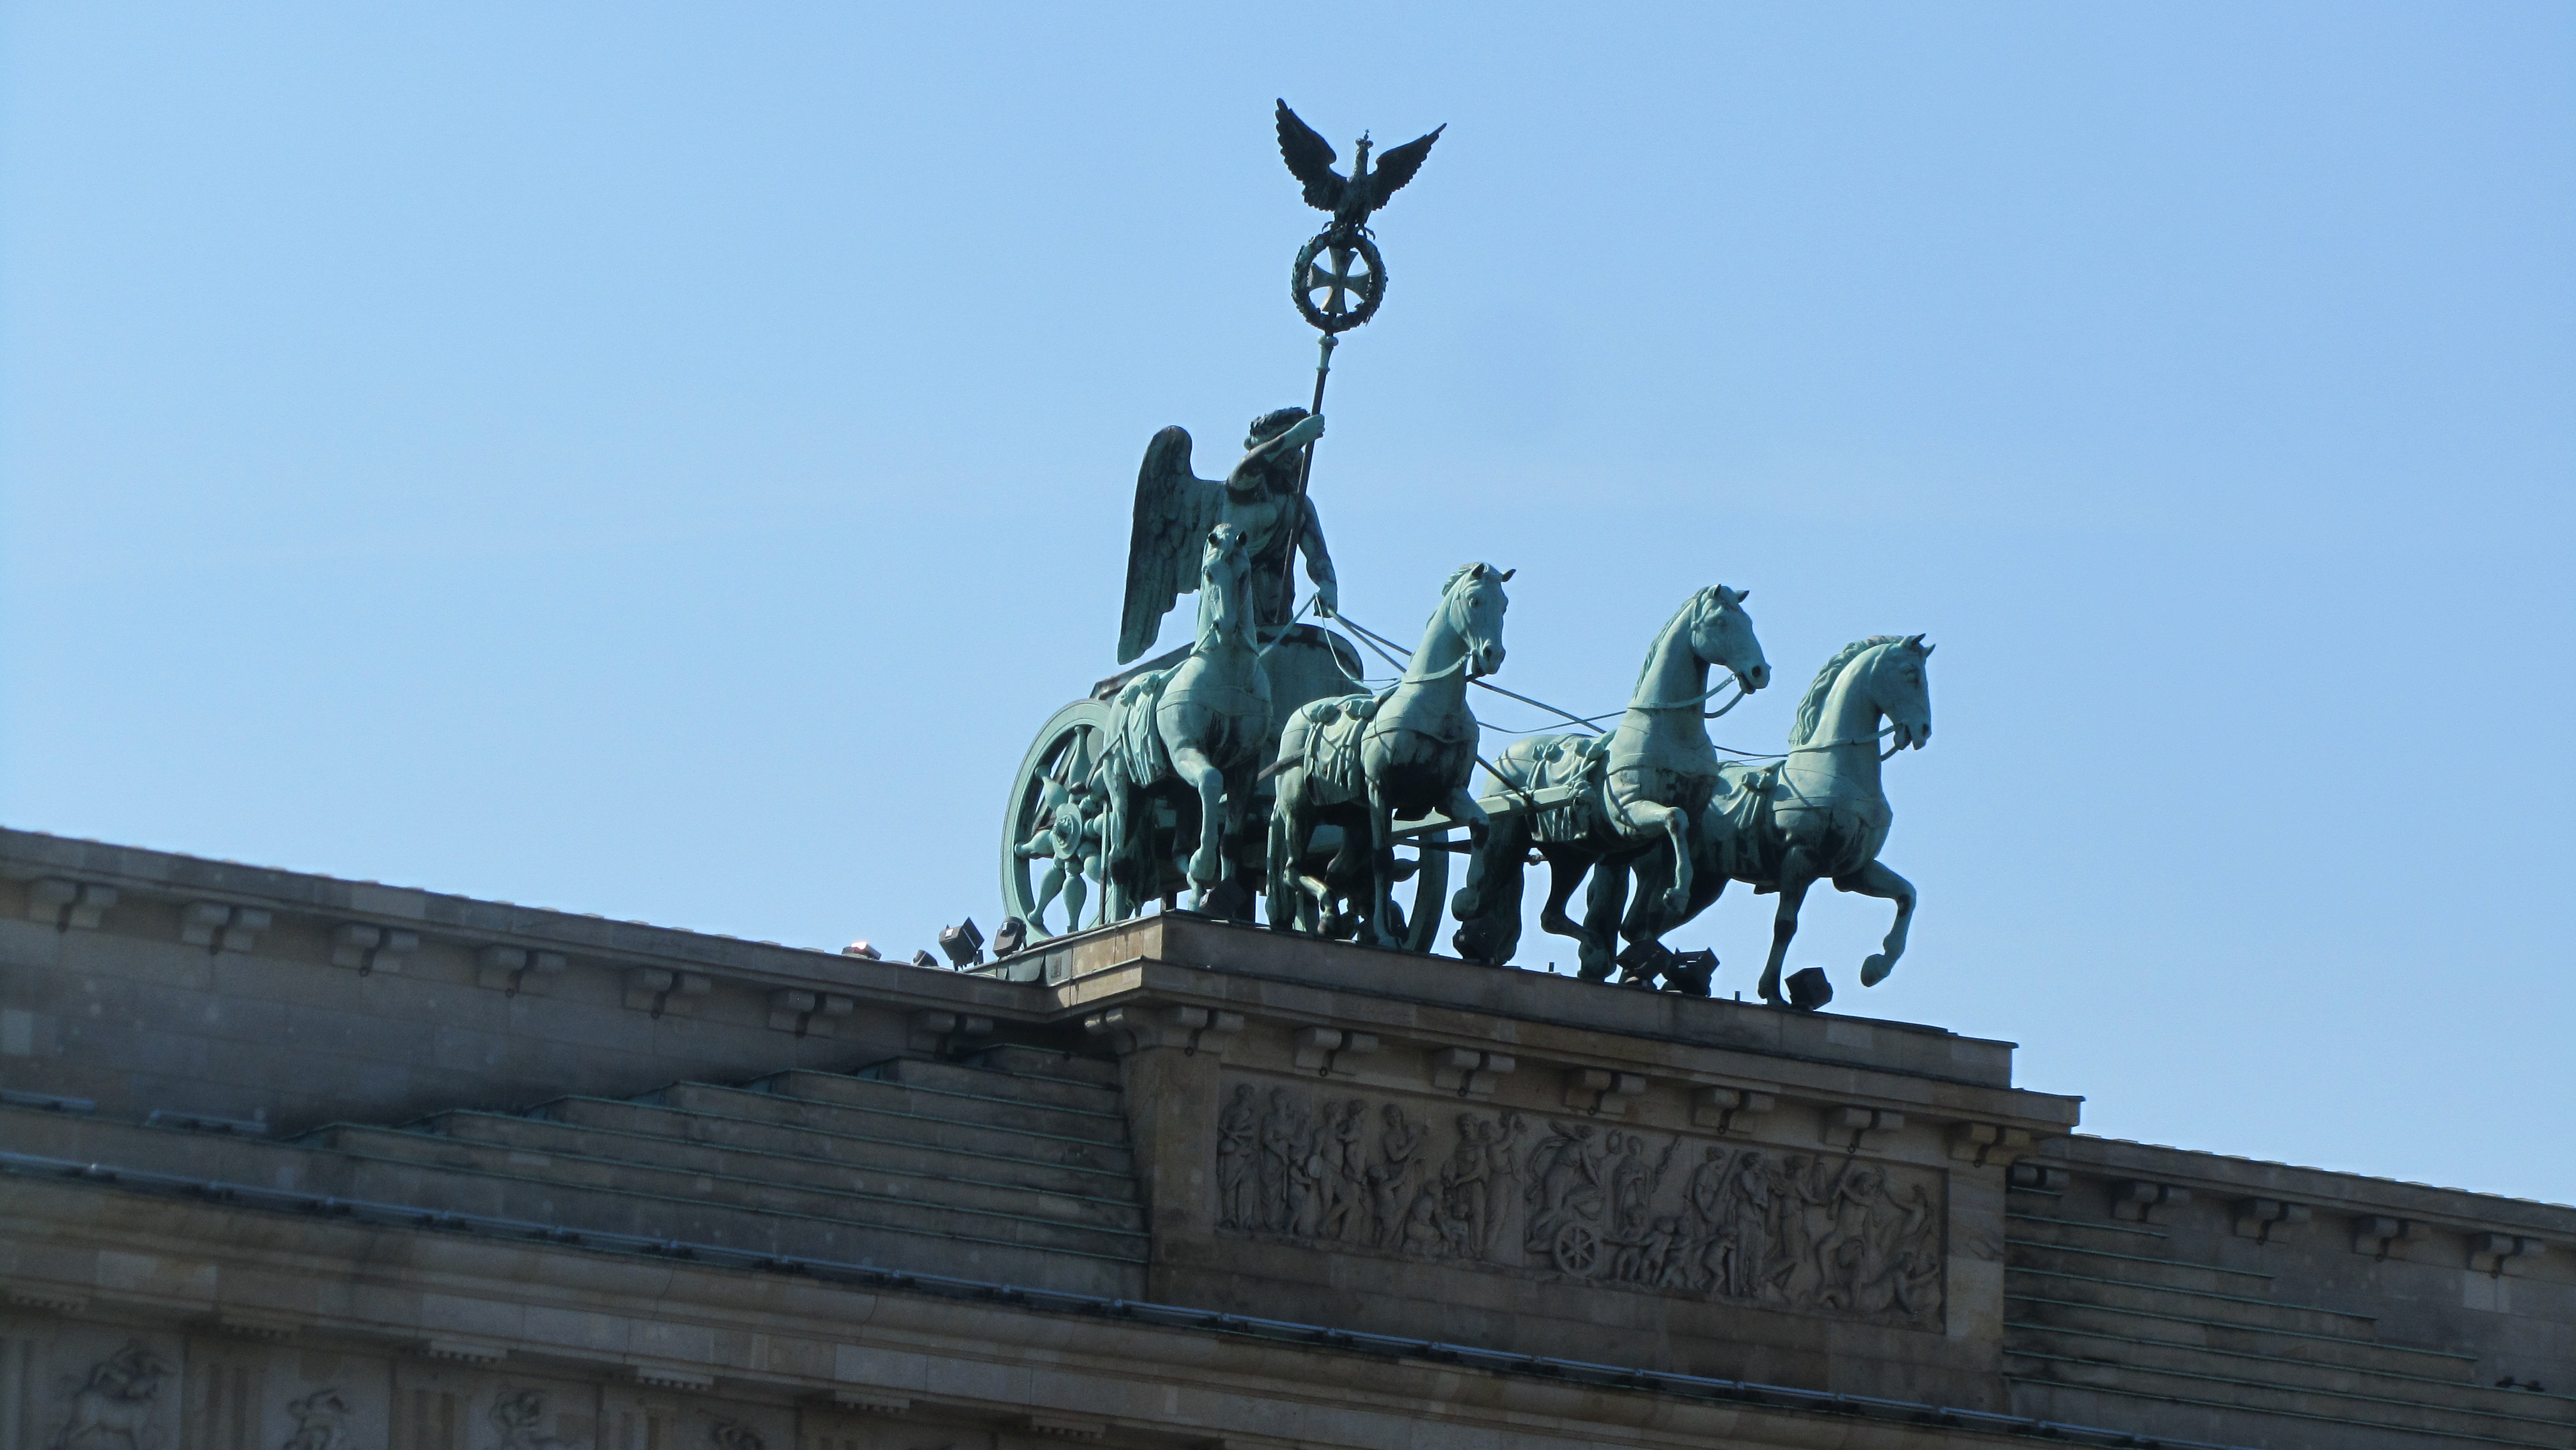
(1364, 761)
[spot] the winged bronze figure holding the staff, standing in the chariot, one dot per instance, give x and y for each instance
(1176, 511)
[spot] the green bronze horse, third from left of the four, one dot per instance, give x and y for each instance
(1645, 787)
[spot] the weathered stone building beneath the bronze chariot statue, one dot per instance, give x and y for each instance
(318, 1165)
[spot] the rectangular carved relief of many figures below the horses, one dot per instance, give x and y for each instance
(1583, 1201)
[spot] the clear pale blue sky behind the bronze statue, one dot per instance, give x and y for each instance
(666, 462)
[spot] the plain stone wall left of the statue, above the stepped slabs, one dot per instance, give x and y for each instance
(148, 983)
